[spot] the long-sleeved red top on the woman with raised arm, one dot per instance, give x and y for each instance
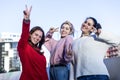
(33, 63)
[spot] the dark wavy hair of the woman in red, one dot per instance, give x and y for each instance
(41, 42)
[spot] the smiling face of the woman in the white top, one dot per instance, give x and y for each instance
(87, 27)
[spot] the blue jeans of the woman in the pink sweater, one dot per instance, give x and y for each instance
(59, 73)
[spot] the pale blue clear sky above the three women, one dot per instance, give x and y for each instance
(52, 13)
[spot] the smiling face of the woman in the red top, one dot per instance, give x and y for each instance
(36, 36)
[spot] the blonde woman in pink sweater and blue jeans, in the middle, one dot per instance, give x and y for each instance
(60, 51)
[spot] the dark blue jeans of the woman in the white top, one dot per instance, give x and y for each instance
(94, 77)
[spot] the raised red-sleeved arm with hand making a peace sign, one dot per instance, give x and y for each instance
(25, 30)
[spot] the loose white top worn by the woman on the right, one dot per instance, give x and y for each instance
(89, 55)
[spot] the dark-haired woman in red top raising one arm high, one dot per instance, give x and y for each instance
(29, 49)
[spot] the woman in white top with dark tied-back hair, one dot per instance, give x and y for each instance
(89, 52)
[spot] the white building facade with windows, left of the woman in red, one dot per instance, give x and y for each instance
(9, 60)
